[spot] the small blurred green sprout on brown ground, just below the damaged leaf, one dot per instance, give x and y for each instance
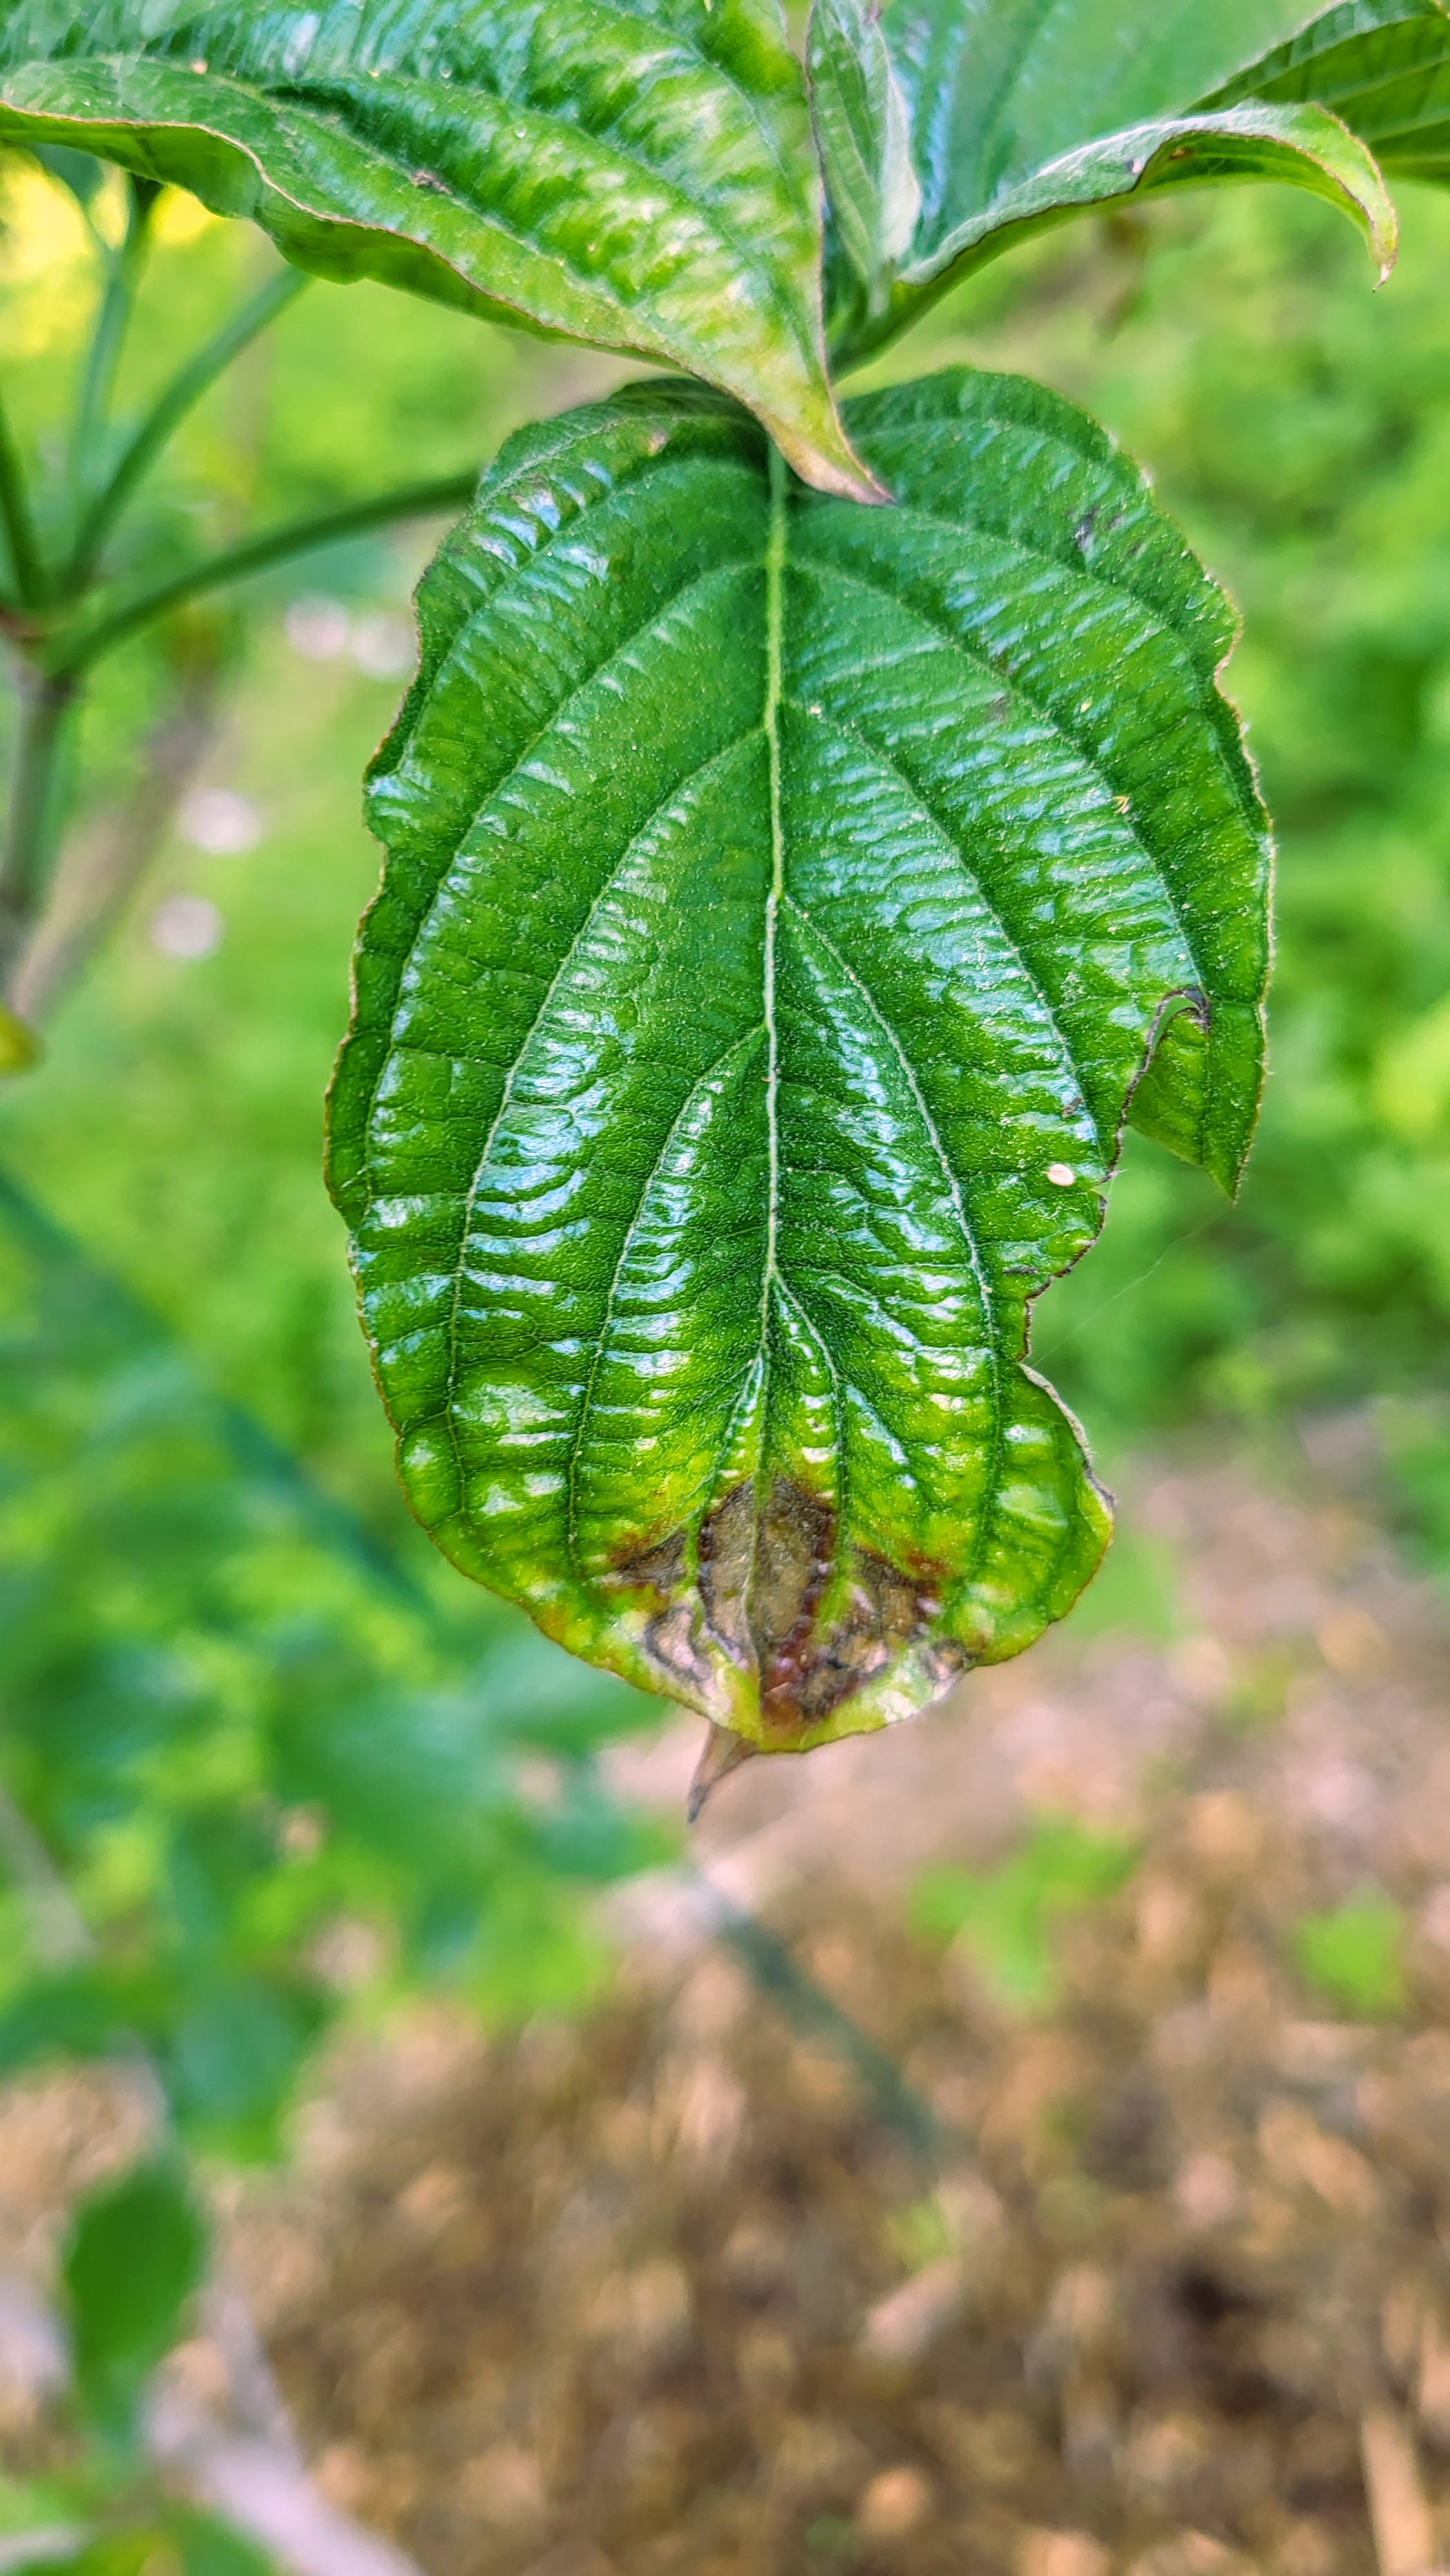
(1006, 1920)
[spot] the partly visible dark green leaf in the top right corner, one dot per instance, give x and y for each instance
(1379, 66)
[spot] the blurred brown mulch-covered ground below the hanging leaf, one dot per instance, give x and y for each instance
(668, 2294)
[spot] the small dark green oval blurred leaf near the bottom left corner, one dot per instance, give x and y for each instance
(135, 2258)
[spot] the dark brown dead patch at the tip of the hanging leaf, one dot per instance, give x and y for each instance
(764, 1573)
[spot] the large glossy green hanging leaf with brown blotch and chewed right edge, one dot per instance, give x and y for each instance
(782, 903)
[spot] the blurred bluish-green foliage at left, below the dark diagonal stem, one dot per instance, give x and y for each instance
(261, 1756)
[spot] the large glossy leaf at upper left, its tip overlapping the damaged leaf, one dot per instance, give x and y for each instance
(635, 174)
